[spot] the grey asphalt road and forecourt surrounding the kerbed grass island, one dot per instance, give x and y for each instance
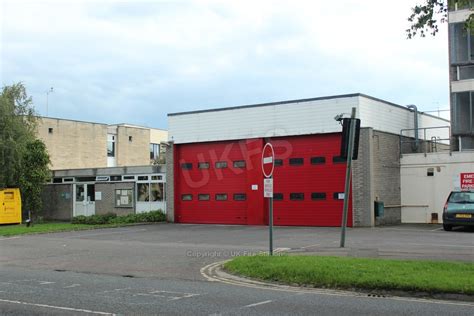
(155, 269)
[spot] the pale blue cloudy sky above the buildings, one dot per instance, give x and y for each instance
(135, 61)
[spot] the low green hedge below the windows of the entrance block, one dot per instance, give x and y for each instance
(112, 218)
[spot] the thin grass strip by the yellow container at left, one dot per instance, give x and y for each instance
(13, 230)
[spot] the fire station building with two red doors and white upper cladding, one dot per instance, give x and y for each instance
(214, 156)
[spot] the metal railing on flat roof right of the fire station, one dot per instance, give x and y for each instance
(424, 144)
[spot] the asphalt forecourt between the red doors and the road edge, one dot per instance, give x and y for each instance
(174, 250)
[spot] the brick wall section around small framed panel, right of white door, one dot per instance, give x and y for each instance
(107, 203)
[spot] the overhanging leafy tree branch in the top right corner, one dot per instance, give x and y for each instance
(426, 17)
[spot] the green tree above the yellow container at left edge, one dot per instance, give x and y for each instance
(23, 158)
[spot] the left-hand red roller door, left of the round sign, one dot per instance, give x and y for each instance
(193, 182)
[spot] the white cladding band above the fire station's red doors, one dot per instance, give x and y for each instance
(292, 118)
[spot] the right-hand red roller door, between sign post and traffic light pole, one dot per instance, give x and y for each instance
(312, 180)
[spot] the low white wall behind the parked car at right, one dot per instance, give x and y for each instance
(422, 195)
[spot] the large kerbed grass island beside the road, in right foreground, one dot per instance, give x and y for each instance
(348, 273)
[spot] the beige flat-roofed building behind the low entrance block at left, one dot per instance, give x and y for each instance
(77, 145)
